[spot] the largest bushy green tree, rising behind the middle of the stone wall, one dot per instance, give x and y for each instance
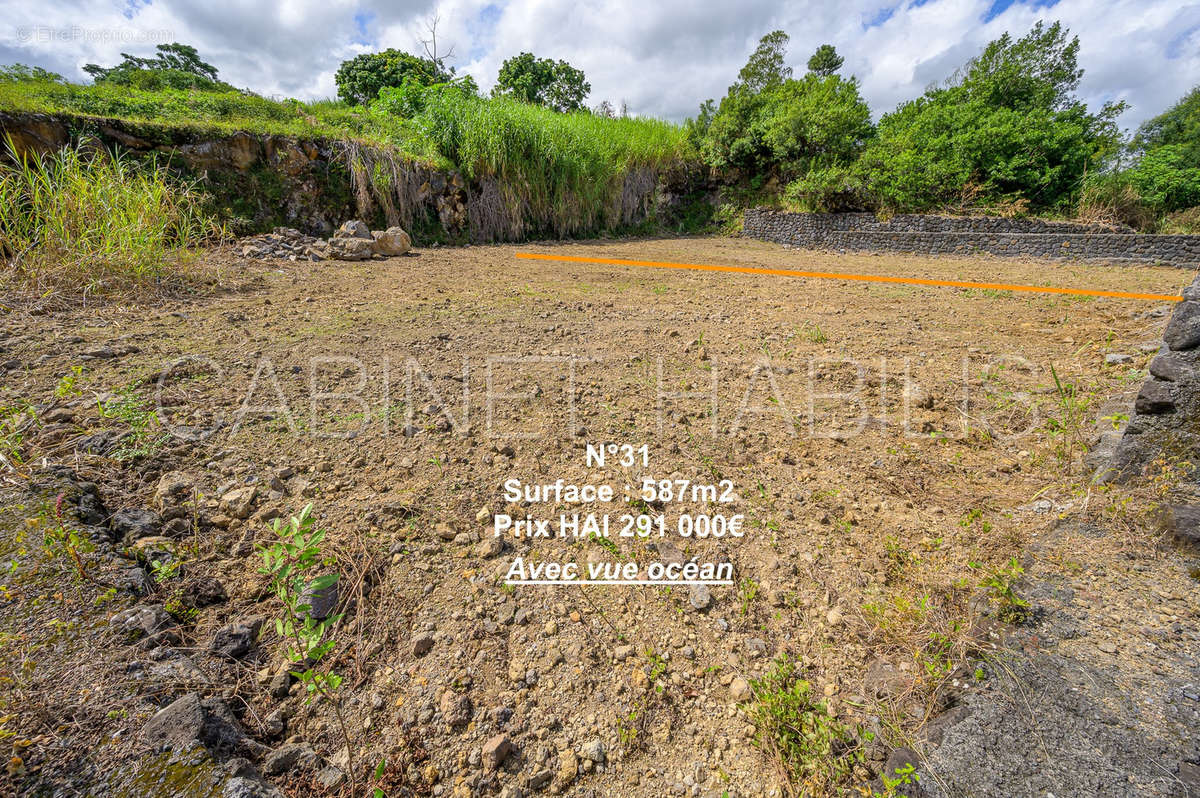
(1006, 127)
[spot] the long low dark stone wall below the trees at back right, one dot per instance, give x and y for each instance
(968, 236)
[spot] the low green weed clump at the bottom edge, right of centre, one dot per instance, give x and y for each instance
(819, 754)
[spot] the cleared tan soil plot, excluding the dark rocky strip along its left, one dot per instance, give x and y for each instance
(889, 447)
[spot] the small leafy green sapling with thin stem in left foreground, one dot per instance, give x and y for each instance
(290, 562)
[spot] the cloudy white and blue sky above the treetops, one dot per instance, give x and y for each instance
(663, 58)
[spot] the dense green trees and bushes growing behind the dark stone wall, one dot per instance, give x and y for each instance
(1005, 135)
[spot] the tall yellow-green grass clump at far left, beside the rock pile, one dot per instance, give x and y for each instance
(94, 223)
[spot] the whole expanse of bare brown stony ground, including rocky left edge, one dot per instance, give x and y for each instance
(891, 448)
